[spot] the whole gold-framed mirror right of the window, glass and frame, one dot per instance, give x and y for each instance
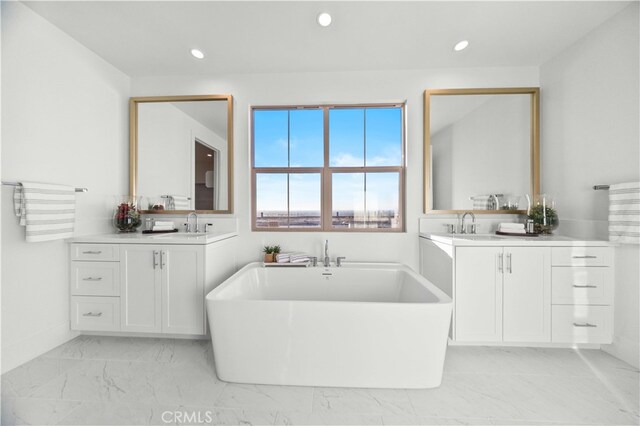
(481, 150)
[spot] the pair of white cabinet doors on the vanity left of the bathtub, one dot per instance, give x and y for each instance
(162, 288)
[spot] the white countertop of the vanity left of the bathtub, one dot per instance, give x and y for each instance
(168, 238)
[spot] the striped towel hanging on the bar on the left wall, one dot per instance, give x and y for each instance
(47, 211)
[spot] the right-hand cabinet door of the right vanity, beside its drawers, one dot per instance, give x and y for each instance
(527, 294)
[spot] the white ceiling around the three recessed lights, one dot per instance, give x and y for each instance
(153, 38)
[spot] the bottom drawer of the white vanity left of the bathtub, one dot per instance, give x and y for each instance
(95, 313)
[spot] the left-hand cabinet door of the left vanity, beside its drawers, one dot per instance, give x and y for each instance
(140, 290)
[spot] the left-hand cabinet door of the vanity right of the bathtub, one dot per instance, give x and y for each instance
(478, 294)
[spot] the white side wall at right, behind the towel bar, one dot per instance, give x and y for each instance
(589, 118)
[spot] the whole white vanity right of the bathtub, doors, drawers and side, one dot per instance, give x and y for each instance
(543, 290)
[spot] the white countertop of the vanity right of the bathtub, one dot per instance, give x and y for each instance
(505, 240)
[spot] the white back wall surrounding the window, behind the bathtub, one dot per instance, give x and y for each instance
(344, 87)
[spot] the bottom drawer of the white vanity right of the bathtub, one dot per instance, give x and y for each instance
(581, 324)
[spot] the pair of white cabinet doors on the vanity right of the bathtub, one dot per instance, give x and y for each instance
(503, 294)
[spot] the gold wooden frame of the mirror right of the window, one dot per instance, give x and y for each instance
(534, 150)
